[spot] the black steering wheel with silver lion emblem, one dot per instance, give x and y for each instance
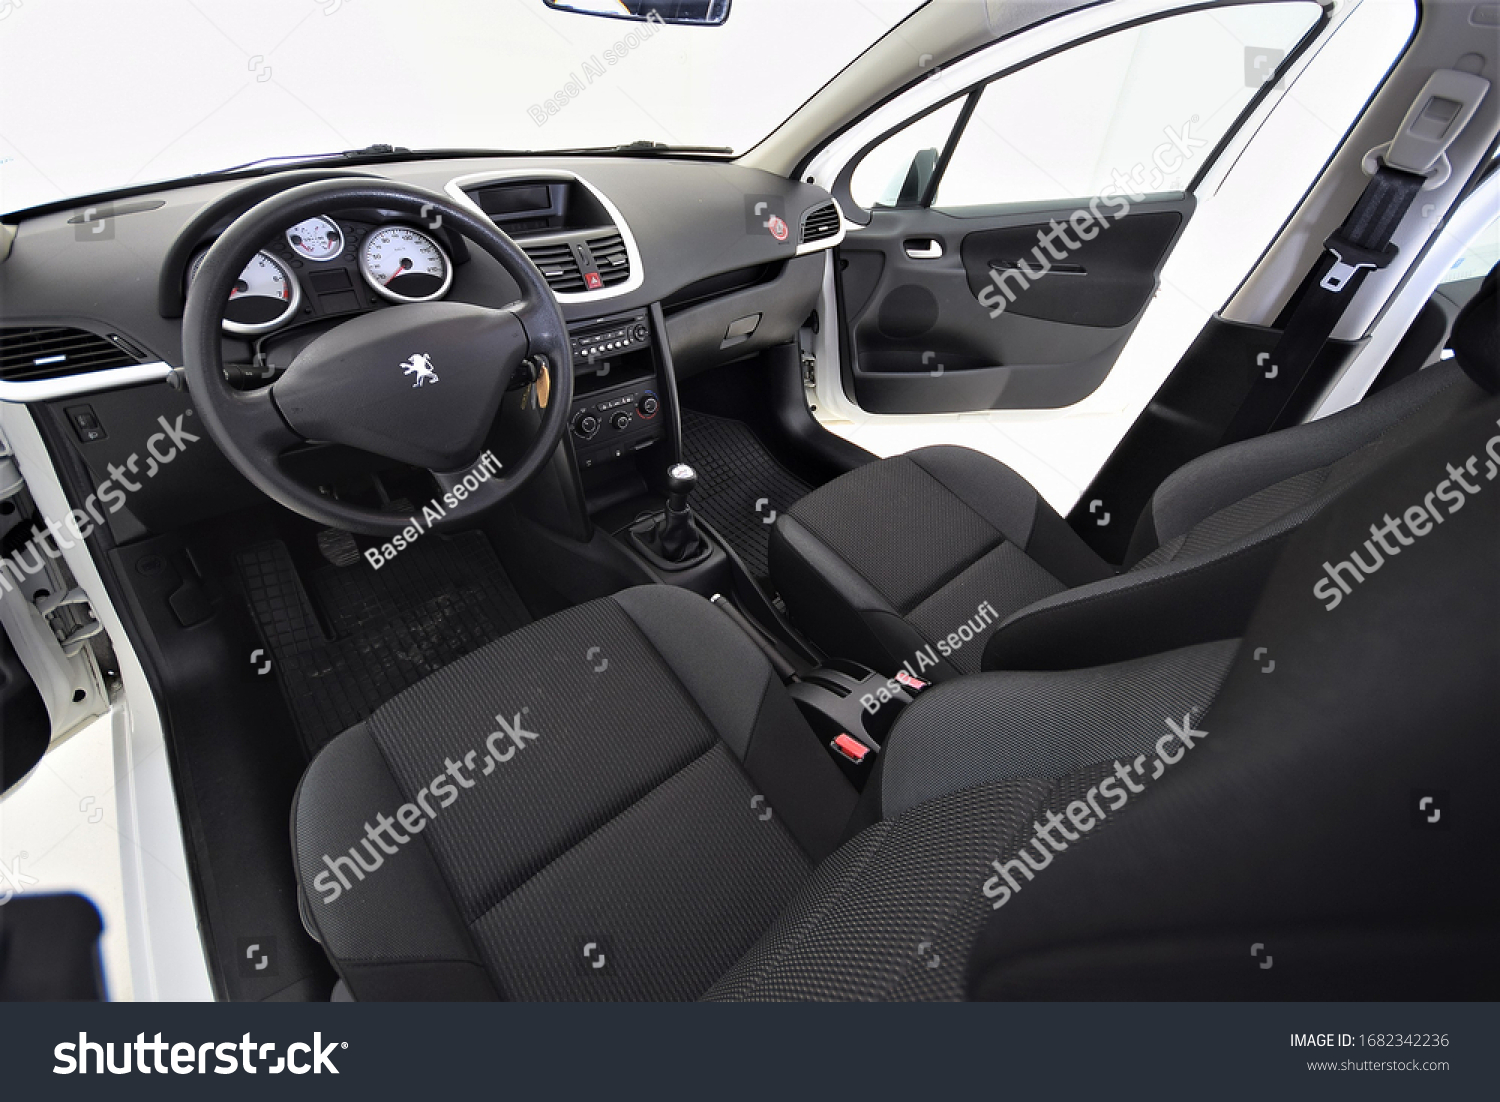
(353, 385)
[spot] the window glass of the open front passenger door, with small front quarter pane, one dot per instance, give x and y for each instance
(1135, 112)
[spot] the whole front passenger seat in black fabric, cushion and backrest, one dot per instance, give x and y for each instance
(949, 563)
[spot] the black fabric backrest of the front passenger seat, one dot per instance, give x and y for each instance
(1226, 518)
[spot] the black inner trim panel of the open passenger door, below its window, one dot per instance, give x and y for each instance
(944, 320)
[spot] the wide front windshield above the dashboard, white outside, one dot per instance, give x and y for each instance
(98, 95)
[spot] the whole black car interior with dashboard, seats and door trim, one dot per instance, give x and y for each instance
(479, 523)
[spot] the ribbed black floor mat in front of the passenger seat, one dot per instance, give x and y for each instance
(740, 487)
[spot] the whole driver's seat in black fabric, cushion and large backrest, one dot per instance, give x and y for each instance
(536, 824)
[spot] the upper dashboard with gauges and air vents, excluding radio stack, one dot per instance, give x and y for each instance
(611, 235)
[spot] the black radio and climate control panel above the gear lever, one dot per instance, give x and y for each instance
(617, 404)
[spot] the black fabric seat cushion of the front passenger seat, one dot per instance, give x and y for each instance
(914, 560)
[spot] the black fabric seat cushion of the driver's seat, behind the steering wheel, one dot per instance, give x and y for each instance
(623, 785)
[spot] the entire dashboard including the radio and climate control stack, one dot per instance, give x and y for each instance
(664, 269)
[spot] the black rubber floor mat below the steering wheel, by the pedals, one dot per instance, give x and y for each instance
(388, 629)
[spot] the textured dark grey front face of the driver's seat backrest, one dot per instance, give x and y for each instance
(968, 771)
